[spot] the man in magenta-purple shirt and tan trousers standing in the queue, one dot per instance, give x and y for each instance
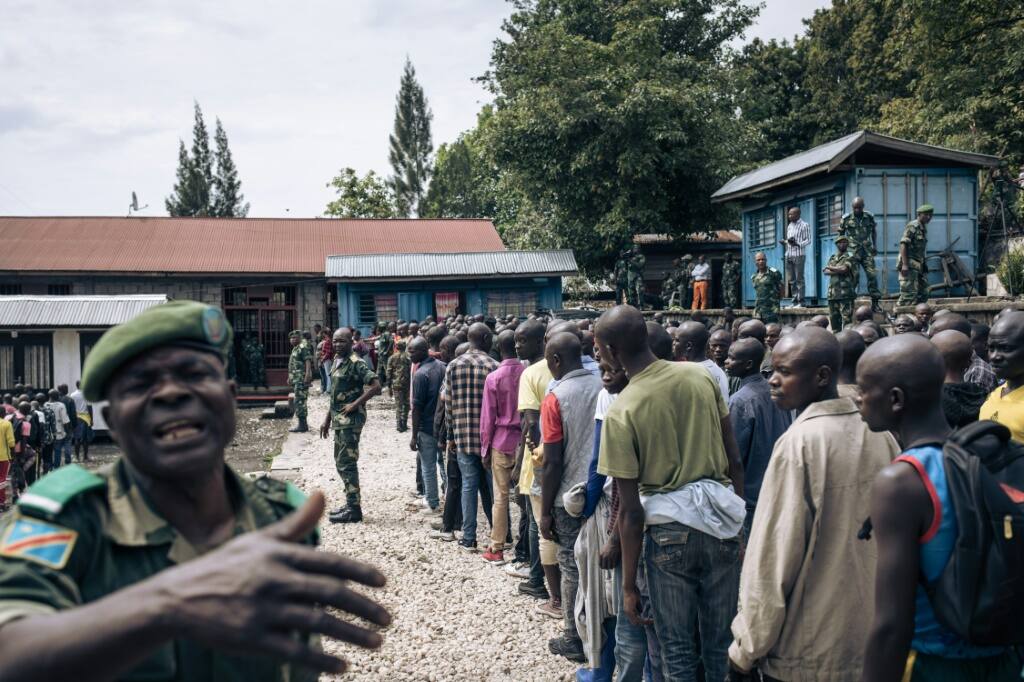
(500, 436)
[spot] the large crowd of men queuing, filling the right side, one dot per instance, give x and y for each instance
(693, 497)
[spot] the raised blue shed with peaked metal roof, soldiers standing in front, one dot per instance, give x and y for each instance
(894, 177)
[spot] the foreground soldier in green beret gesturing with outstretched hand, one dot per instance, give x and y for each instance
(167, 565)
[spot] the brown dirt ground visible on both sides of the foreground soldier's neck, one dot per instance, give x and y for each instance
(255, 445)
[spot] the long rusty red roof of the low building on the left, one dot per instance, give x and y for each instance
(224, 245)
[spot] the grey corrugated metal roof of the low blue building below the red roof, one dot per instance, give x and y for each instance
(451, 266)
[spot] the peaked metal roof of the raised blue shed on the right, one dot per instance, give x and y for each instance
(826, 157)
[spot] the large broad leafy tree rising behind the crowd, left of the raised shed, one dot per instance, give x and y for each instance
(615, 118)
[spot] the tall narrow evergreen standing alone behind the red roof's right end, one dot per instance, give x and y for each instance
(411, 145)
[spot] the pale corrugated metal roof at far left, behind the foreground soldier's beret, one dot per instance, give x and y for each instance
(83, 312)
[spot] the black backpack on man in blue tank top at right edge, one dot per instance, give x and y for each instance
(980, 594)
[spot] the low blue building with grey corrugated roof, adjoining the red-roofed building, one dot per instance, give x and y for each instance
(391, 287)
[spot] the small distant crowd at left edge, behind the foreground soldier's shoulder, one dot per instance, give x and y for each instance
(41, 431)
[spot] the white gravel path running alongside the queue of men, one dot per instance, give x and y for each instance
(455, 618)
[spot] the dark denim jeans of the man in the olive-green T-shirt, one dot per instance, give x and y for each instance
(694, 578)
